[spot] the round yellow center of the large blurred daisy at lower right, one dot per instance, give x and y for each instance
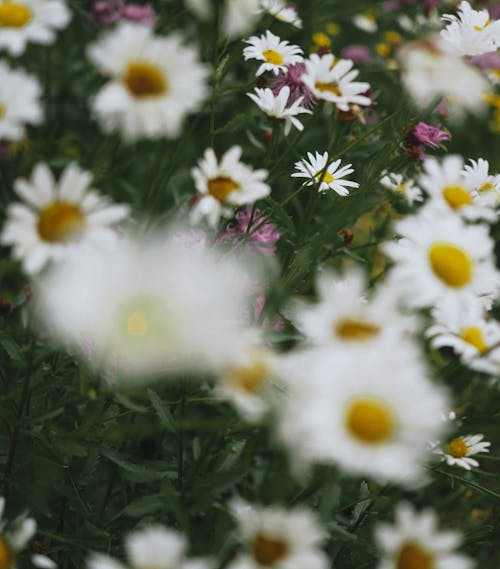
(370, 420)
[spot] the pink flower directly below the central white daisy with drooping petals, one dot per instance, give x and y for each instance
(254, 233)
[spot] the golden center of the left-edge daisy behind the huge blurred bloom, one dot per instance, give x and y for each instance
(61, 222)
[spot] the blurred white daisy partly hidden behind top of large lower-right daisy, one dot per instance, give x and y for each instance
(343, 315)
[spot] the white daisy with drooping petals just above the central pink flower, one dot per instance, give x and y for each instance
(225, 184)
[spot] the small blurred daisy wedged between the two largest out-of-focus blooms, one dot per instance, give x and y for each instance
(249, 380)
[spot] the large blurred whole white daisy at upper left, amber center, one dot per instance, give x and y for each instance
(155, 81)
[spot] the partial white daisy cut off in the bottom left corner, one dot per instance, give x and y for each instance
(14, 537)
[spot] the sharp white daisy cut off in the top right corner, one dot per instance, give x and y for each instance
(472, 32)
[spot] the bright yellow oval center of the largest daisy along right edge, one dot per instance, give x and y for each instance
(451, 264)
